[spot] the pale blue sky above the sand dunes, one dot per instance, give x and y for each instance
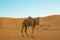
(25, 8)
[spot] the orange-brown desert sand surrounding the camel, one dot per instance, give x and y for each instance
(49, 29)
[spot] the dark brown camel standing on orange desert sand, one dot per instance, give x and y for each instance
(29, 22)
